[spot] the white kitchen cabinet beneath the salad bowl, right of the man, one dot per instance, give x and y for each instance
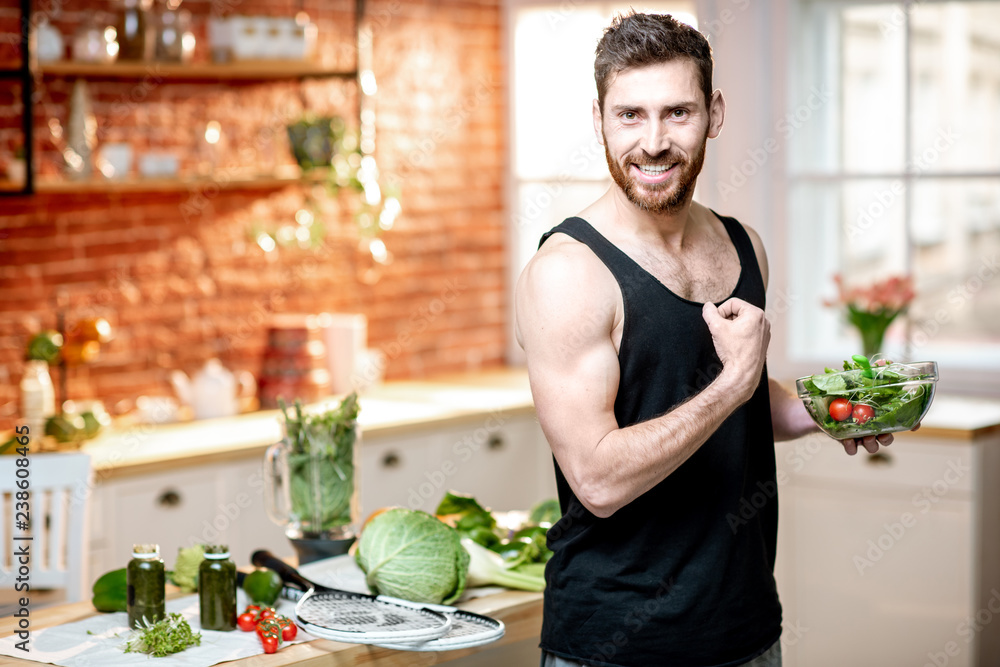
(889, 559)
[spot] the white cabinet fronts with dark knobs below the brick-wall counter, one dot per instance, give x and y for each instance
(502, 459)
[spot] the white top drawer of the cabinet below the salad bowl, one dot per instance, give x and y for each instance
(909, 463)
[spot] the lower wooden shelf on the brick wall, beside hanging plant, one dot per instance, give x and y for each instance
(106, 186)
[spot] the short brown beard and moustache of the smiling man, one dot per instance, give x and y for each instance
(658, 198)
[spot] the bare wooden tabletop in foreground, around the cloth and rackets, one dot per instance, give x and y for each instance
(521, 613)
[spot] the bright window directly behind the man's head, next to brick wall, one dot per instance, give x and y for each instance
(558, 167)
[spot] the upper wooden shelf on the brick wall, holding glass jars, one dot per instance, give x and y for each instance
(243, 70)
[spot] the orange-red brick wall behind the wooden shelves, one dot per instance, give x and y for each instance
(179, 275)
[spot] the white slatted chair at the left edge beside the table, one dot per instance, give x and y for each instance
(59, 486)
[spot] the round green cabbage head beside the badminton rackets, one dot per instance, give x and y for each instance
(414, 556)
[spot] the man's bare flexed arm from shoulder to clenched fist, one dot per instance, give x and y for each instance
(566, 309)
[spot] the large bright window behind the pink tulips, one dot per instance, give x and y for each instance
(899, 172)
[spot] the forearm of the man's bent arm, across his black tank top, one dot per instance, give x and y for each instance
(629, 461)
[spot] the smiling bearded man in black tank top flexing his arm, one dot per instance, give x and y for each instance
(642, 320)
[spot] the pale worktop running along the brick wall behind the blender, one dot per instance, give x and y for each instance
(393, 407)
